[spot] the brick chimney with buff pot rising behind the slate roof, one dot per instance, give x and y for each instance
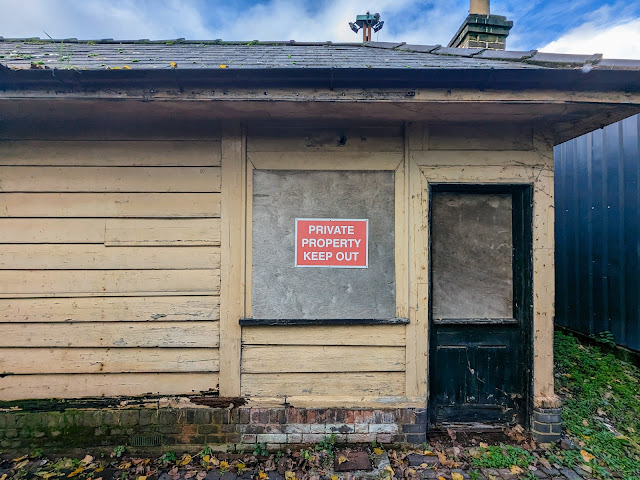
(481, 29)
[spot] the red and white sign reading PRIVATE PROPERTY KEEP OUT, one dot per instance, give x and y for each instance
(332, 243)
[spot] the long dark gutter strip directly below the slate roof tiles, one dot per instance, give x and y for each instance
(325, 78)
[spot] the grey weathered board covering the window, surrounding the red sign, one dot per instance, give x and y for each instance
(282, 291)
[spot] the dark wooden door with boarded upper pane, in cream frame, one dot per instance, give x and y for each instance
(480, 304)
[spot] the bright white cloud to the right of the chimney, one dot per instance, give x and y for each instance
(621, 40)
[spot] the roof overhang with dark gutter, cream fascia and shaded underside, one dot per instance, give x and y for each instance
(565, 102)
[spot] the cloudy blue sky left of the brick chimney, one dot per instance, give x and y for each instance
(411, 21)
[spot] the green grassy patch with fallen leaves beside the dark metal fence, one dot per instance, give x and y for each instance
(601, 409)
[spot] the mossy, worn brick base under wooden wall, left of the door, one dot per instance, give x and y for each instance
(231, 429)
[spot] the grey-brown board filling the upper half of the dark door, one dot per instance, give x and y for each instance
(471, 256)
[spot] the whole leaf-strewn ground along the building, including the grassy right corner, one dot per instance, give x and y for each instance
(601, 416)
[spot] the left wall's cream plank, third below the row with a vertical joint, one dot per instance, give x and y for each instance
(110, 309)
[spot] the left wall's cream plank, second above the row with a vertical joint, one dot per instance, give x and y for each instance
(109, 179)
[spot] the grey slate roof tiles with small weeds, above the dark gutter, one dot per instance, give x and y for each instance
(147, 55)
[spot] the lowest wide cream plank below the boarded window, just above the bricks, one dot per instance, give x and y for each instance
(313, 384)
